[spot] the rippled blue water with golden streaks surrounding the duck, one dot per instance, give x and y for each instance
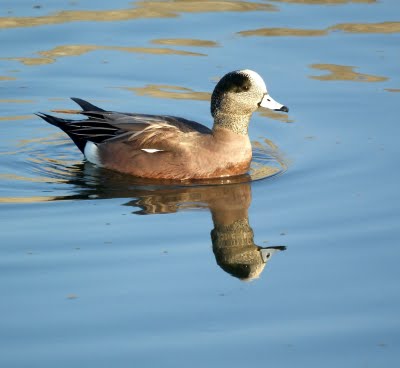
(103, 270)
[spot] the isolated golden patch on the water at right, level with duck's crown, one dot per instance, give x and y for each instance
(344, 73)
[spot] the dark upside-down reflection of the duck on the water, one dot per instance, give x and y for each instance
(232, 236)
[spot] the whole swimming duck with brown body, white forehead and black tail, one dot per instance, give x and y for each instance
(169, 147)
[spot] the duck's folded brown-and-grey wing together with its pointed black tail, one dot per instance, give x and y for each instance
(138, 130)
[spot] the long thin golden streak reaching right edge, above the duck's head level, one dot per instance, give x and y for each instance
(379, 28)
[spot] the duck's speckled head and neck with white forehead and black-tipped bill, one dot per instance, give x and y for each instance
(236, 96)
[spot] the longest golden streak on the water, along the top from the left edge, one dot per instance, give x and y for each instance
(143, 10)
